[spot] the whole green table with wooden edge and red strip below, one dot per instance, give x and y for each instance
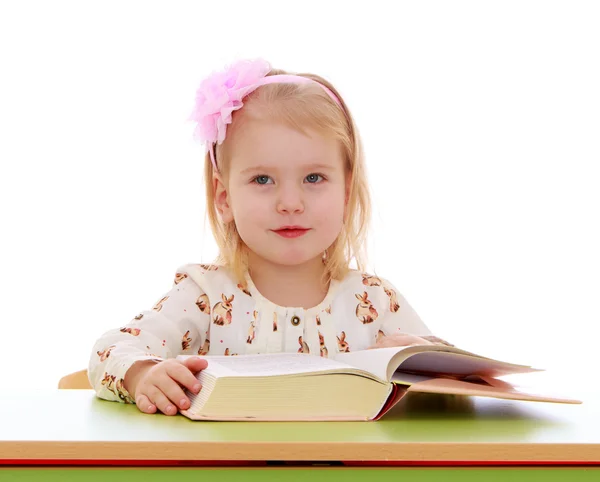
(426, 437)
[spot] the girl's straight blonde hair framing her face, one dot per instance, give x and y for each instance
(299, 106)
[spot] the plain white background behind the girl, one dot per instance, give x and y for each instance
(481, 126)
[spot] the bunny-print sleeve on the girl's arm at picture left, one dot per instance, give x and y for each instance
(177, 325)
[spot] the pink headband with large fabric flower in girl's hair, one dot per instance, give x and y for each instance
(222, 92)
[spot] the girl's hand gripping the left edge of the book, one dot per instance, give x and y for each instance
(158, 385)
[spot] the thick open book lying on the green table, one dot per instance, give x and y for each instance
(360, 385)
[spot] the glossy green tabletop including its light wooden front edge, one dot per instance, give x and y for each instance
(75, 425)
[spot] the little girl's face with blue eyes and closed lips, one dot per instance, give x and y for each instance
(280, 178)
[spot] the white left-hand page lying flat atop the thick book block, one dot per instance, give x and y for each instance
(272, 364)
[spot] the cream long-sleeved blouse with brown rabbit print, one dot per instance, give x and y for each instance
(207, 313)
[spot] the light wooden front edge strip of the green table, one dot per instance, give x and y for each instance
(302, 451)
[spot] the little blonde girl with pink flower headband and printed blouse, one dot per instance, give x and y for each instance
(288, 205)
